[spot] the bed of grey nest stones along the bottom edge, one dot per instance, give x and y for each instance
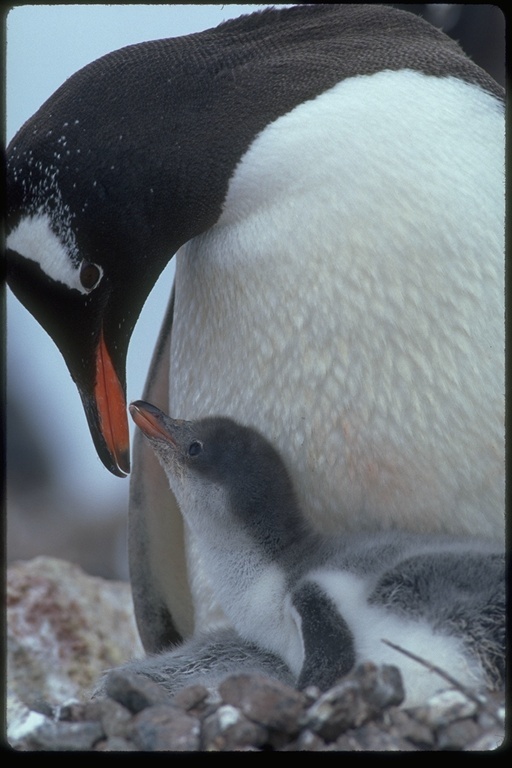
(255, 713)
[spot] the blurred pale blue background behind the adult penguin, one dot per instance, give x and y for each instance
(61, 501)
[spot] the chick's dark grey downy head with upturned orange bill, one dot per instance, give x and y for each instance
(235, 458)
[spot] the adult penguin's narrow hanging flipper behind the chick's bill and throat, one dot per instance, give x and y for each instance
(158, 574)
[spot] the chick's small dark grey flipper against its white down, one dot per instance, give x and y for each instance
(328, 642)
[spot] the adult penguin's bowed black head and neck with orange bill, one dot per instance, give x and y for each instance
(93, 218)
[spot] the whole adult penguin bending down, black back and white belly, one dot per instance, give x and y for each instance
(332, 180)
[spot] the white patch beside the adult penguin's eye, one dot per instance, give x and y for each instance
(34, 239)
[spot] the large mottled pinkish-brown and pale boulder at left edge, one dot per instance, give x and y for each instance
(64, 628)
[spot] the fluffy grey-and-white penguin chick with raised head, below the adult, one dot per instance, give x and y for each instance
(323, 604)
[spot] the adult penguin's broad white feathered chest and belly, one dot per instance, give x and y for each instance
(349, 304)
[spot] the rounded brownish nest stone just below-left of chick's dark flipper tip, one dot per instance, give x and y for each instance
(265, 701)
